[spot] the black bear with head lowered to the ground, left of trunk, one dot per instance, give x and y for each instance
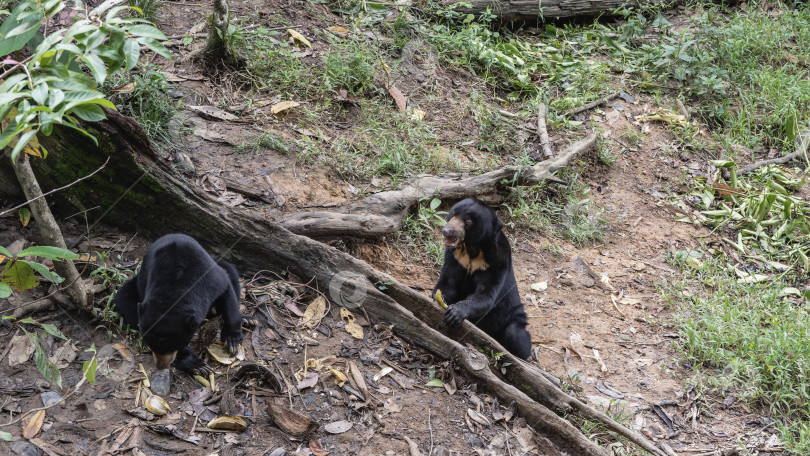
(172, 294)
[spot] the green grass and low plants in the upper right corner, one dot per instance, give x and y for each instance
(747, 70)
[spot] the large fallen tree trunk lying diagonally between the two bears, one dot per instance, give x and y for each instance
(139, 190)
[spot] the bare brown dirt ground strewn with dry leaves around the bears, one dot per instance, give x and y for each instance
(611, 343)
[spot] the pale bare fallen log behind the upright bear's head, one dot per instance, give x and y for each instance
(382, 213)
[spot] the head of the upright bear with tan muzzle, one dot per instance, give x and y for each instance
(472, 223)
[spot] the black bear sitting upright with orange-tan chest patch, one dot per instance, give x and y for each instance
(477, 281)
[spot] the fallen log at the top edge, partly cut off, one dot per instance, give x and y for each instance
(542, 11)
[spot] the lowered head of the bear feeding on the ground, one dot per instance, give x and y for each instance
(165, 331)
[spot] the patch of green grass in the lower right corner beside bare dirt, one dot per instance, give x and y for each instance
(746, 339)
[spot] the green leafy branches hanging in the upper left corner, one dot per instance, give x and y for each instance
(48, 87)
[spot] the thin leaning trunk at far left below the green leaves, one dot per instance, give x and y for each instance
(51, 235)
